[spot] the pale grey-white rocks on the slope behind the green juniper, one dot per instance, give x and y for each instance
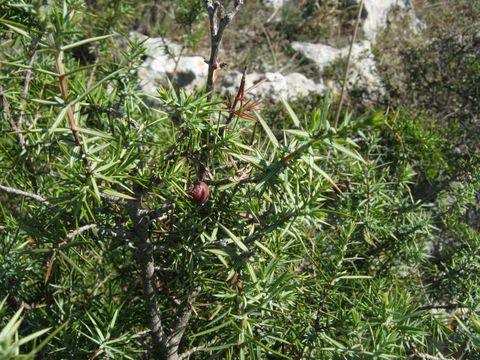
(165, 63)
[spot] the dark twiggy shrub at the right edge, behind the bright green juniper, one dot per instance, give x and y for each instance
(443, 76)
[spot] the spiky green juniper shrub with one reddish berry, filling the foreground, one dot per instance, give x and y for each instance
(303, 242)
